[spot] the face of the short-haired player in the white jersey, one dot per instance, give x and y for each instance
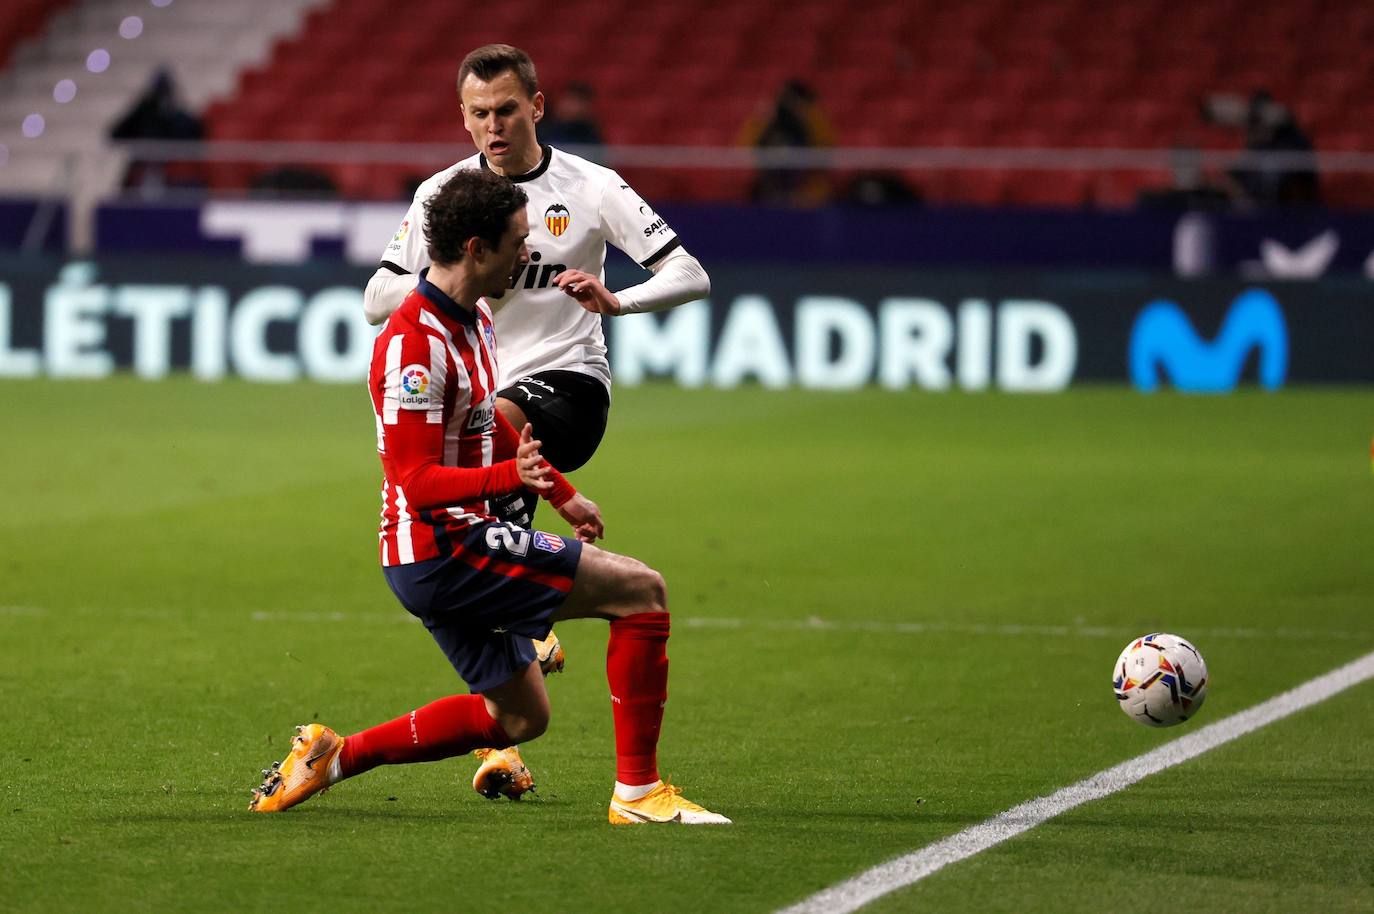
(501, 116)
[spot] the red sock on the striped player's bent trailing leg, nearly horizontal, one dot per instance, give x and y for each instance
(439, 731)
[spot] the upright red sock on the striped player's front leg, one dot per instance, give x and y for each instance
(637, 669)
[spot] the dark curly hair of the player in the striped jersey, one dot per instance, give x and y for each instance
(472, 204)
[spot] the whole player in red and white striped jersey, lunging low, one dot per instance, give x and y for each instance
(486, 589)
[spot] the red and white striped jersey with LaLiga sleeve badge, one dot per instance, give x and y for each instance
(433, 386)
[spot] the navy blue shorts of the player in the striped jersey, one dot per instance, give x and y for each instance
(487, 601)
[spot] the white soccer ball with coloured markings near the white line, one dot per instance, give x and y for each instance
(1160, 680)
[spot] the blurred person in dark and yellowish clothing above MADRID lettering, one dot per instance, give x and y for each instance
(793, 122)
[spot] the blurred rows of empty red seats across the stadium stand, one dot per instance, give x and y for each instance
(899, 74)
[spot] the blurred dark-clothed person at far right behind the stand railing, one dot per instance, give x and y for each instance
(1269, 129)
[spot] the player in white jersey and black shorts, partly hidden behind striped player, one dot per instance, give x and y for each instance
(554, 372)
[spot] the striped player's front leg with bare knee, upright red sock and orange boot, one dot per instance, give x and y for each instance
(634, 599)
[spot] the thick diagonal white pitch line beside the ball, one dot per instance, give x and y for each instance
(906, 871)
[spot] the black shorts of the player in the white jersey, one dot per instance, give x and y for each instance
(568, 412)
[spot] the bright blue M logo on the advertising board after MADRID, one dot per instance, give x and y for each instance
(1164, 342)
